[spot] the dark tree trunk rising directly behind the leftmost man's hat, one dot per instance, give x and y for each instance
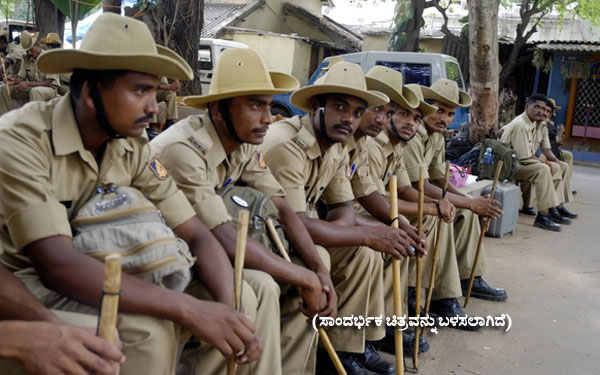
(177, 24)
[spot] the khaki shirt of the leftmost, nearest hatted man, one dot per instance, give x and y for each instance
(46, 175)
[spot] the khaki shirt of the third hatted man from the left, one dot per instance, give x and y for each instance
(294, 156)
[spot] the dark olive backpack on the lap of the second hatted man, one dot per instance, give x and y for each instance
(260, 209)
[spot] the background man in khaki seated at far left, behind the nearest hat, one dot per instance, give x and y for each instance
(31, 83)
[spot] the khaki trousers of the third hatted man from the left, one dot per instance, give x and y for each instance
(357, 275)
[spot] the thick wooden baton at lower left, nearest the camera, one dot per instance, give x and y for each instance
(110, 297)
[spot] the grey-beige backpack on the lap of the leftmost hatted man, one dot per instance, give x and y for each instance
(121, 220)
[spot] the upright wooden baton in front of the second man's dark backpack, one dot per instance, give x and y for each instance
(238, 268)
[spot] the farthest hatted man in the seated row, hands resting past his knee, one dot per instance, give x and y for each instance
(427, 149)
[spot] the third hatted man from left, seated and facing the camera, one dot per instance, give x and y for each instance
(308, 158)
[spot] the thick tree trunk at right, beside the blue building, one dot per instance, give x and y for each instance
(483, 67)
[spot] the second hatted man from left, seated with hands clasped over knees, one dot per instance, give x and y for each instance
(205, 153)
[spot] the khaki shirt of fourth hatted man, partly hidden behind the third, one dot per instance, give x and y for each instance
(360, 175)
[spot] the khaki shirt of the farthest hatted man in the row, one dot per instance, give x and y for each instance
(425, 151)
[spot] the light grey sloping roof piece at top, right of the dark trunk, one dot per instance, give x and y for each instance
(219, 15)
